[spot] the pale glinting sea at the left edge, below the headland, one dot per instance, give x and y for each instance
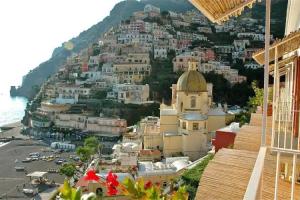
(12, 109)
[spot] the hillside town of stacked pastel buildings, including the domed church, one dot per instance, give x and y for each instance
(152, 100)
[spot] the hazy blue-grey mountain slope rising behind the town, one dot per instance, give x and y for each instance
(121, 11)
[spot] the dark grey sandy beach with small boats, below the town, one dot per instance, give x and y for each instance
(17, 150)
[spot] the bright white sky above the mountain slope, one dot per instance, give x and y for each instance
(31, 29)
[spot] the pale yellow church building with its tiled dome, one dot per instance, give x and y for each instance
(183, 127)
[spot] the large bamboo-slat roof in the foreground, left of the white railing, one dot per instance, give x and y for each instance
(227, 175)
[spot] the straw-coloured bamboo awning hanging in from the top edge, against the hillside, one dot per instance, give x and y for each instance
(219, 11)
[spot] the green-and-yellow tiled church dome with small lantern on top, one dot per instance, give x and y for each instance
(191, 81)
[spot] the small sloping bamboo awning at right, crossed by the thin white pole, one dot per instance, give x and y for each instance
(287, 45)
